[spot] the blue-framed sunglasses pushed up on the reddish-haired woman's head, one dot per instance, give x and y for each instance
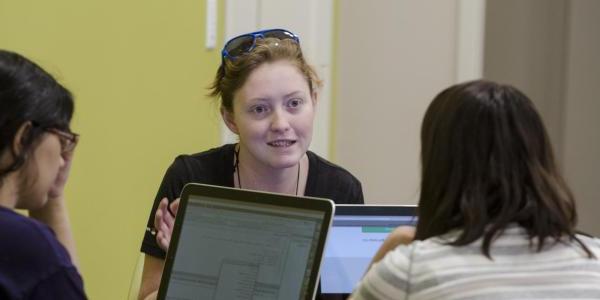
(245, 43)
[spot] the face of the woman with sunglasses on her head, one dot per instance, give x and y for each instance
(273, 115)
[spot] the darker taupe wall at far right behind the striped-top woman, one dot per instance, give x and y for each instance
(549, 49)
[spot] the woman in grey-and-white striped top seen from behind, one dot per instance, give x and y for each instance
(496, 219)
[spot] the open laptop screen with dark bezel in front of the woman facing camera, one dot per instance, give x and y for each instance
(237, 244)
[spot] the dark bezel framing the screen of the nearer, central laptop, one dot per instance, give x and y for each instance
(232, 194)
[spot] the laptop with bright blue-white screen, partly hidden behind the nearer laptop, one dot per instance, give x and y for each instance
(355, 236)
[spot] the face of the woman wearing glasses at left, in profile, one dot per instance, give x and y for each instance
(40, 172)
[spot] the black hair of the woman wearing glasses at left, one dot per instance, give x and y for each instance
(28, 94)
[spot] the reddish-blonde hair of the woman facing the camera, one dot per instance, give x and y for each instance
(232, 74)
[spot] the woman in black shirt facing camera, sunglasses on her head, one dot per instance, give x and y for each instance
(268, 96)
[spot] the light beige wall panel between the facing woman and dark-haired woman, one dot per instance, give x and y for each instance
(392, 57)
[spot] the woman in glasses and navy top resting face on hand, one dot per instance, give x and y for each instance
(37, 254)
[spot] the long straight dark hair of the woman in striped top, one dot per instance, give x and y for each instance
(486, 163)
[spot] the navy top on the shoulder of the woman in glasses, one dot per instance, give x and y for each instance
(39, 265)
